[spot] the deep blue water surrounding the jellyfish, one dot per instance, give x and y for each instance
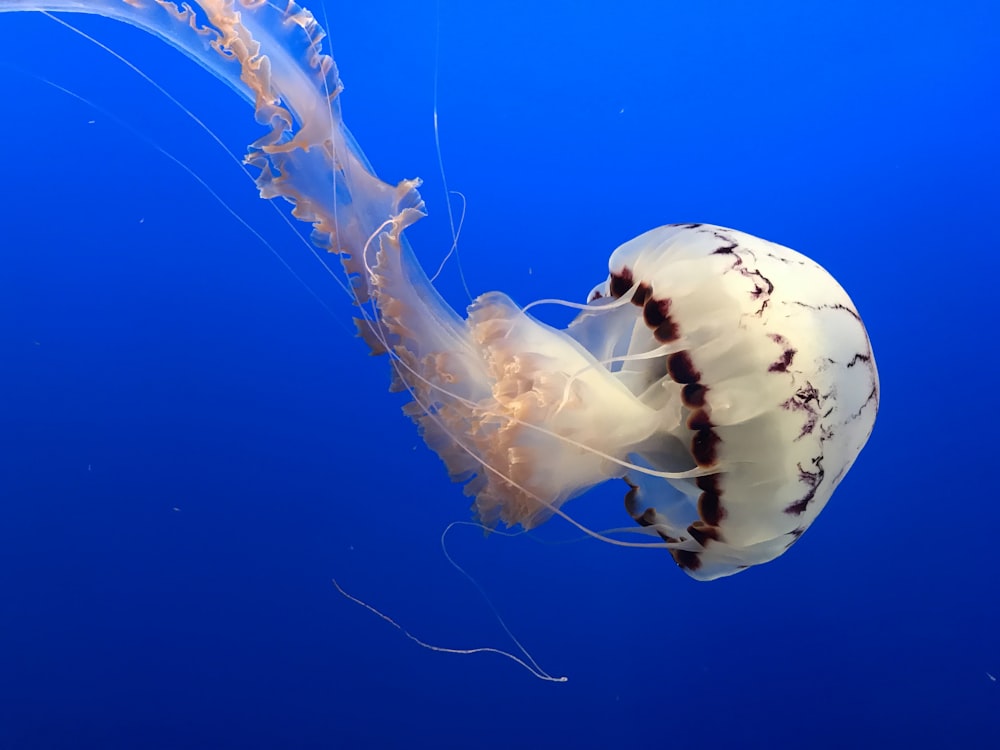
(193, 446)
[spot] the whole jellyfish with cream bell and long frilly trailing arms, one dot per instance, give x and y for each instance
(728, 381)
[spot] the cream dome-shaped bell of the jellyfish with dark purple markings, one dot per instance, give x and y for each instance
(771, 375)
